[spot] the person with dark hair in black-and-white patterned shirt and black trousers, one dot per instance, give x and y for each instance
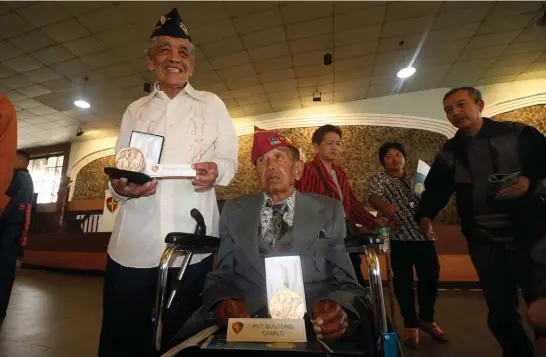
(392, 194)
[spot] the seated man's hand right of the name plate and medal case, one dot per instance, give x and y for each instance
(330, 320)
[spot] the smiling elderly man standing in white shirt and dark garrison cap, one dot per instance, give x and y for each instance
(197, 129)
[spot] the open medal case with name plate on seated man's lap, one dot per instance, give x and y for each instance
(286, 306)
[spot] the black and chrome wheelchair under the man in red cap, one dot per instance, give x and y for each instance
(386, 342)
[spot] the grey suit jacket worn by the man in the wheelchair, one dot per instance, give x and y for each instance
(240, 271)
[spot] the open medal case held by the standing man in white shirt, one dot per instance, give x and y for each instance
(139, 163)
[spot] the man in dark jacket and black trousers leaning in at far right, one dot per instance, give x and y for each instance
(496, 170)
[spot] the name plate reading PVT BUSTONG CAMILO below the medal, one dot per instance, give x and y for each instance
(266, 330)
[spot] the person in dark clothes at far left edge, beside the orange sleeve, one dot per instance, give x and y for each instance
(12, 223)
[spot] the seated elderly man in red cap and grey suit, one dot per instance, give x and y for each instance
(283, 220)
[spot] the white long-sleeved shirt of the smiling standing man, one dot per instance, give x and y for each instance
(197, 128)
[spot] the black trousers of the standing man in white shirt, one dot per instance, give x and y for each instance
(129, 296)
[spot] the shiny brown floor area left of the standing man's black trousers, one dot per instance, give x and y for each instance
(52, 315)
